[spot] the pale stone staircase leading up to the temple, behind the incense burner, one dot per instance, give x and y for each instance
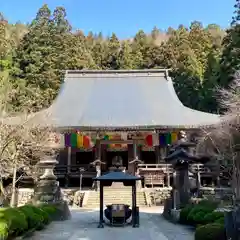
(115, 195)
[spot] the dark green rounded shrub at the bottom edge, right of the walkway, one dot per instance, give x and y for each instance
(211, 231)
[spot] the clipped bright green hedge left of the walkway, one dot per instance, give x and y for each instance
(17, 221)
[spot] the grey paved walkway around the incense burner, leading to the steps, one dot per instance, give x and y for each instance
(83, 226)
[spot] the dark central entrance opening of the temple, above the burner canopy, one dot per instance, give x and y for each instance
(119, 157)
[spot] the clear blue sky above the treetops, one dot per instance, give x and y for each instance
(125, 17)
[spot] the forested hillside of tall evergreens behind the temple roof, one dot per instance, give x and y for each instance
(33, 57)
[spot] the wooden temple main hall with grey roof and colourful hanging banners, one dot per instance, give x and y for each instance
(118, 116)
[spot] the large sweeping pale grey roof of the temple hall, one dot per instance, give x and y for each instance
(123, 99)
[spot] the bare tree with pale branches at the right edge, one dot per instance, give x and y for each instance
(223, 141)
